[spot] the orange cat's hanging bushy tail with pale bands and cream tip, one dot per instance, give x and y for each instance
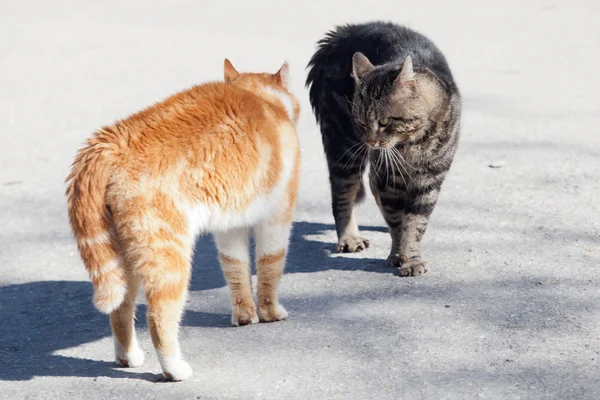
(91, 220)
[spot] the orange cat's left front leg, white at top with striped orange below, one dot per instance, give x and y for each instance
(234, 256)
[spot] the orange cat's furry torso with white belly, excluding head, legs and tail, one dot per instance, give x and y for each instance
(217, 146)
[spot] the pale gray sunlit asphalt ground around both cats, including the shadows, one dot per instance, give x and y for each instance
(510, 307)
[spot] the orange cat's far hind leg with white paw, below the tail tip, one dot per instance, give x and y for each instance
(127, 350)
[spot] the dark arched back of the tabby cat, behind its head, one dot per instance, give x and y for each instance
(381, 42)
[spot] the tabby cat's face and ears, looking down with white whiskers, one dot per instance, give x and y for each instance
(387, 107)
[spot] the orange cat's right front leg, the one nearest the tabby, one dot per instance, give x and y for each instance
(271, 247)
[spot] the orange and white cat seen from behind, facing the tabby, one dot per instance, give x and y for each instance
(222, 157)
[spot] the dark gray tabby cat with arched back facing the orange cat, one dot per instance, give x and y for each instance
(403, 117)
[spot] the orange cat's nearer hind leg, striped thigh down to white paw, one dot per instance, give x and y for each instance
(159, 249)
